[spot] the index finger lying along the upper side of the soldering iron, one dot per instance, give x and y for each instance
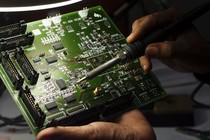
(148, 23)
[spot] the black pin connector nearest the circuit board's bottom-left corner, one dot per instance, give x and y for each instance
(34, 109)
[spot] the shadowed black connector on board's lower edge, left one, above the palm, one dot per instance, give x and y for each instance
(80, 118)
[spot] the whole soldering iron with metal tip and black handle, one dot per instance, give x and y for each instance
(137, 49)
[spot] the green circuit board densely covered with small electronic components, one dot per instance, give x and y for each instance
(41, 62)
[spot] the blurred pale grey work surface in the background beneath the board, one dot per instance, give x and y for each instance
(173, 83)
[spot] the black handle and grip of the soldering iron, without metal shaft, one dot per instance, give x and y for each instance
(137, 48)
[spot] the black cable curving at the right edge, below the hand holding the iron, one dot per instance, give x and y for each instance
(194, 93)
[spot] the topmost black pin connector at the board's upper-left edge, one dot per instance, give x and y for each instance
(13, 29)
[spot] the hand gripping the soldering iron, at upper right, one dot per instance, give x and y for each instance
(185, 50)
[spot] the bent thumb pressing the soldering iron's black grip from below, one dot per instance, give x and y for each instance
(161, 50)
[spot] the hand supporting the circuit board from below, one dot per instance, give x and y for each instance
(131, 125)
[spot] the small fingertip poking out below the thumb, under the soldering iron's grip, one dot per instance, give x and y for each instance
(145, 63)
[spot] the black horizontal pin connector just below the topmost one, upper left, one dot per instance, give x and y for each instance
(13, 42)
